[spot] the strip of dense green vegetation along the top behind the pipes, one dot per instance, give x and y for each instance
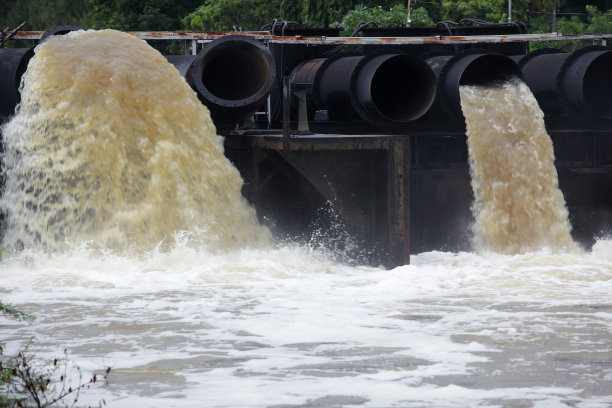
(571, 16)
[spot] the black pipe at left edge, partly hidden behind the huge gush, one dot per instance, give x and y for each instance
(13, 64)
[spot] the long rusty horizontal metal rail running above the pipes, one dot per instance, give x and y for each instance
(267, 37)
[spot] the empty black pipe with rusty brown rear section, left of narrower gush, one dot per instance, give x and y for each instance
(382, 90)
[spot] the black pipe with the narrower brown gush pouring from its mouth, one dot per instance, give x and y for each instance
(468, 68)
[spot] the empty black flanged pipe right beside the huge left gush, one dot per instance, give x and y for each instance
(232, 76)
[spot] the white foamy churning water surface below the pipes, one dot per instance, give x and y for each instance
(285, 327)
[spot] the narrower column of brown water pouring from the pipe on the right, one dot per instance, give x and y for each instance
(518, 205)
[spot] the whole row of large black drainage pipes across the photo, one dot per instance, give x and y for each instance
(234, 75)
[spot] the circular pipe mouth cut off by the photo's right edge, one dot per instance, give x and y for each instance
(588, 83)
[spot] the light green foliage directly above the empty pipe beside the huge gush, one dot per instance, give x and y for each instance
(222, 15)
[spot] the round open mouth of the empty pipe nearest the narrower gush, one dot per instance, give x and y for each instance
(401, 88)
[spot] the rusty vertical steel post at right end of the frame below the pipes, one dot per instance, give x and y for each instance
(398, 192)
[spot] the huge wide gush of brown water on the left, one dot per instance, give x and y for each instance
(111, 146)
